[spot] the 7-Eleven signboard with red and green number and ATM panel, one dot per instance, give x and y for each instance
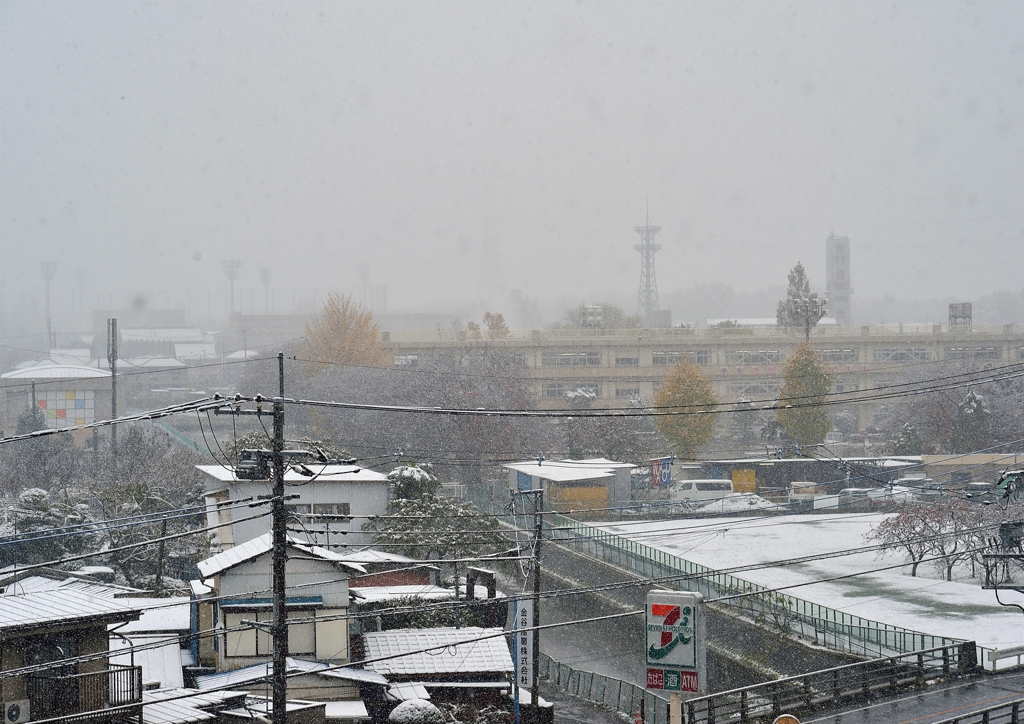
(676, 645)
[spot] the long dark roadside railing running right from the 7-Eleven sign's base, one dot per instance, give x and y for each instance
(798, 695)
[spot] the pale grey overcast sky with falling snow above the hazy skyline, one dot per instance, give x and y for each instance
(465, 150)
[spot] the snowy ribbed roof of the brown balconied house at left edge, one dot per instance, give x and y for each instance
(60, 606)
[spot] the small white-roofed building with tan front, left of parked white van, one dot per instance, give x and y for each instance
(590, 485)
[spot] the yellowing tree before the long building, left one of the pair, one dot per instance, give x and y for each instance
(687, 394)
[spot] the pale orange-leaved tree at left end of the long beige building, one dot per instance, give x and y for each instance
(345, 332)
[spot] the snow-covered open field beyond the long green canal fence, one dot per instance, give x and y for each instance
(957, 610)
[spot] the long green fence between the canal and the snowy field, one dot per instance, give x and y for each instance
(789, 615)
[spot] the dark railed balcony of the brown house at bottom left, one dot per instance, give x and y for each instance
(114, 696)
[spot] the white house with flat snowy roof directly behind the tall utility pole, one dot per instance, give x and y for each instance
(328, 496)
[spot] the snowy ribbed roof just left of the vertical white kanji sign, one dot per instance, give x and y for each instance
(454, 652)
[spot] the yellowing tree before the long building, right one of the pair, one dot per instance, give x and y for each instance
(800, 409)
